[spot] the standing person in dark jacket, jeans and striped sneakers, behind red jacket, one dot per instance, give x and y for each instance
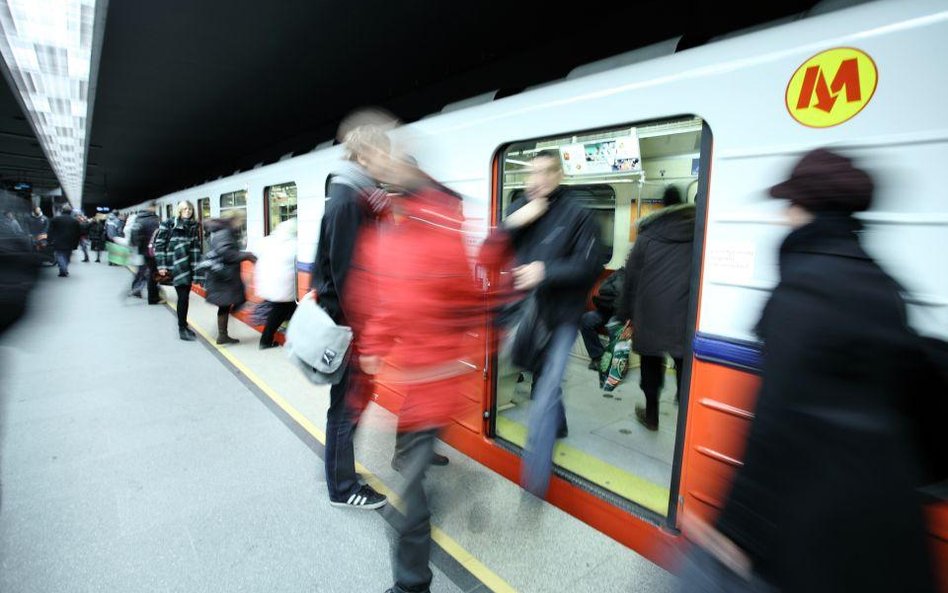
(354, 202)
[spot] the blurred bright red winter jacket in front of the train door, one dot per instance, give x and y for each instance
(421, 309)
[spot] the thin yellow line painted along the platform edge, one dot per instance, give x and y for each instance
(486, 576)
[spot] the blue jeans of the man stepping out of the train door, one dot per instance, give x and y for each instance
(546, 412)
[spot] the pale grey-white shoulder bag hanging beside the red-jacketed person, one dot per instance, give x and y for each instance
(316, 344)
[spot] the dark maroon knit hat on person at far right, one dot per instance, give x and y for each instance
(823, 181)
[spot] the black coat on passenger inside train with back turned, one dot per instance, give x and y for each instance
(658, 280)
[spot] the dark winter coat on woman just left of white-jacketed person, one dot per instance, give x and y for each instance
(223, 283)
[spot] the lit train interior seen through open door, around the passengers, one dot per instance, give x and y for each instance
(620, 174)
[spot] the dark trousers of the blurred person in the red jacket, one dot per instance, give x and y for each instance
(410, 560)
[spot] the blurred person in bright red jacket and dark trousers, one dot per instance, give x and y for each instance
(417, 326)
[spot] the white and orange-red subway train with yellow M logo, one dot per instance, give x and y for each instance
(723, 122)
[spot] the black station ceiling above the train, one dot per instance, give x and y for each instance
(189, 91)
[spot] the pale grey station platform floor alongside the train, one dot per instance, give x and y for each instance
(134, 461)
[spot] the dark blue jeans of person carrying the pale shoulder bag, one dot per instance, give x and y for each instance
(341, 421)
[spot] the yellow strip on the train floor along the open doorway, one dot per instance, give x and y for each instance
(650, 495)
